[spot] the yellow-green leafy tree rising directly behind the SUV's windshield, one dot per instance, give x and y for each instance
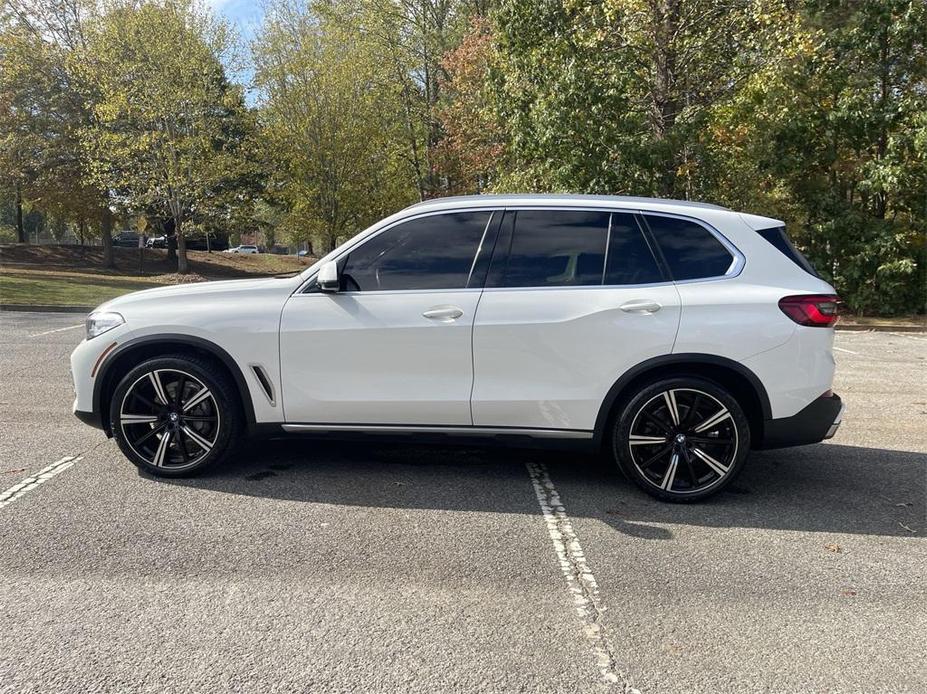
(330, 125)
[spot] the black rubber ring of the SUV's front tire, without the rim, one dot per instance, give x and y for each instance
(217, 384)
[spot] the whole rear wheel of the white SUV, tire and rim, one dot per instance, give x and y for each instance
(681, 439)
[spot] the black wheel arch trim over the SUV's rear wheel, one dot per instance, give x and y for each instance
(744, 385)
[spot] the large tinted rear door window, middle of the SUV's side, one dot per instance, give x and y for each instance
(557, 248)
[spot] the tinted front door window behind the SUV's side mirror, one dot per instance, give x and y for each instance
(433, 252)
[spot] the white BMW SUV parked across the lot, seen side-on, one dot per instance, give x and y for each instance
(675, 335)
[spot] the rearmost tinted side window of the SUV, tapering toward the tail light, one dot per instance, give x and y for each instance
(691, 250)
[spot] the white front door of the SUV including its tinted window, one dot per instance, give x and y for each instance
(394, 345)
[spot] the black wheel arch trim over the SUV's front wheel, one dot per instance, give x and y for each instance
(128, 354)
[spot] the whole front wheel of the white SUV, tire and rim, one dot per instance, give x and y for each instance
(201, 425)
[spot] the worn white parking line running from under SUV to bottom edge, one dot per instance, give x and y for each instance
(578, 576)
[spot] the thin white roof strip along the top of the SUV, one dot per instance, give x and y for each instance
(621, 201)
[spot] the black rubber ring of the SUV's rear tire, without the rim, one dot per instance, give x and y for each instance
(622, 426)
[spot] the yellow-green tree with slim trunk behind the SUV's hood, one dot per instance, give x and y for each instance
(165, 116)
